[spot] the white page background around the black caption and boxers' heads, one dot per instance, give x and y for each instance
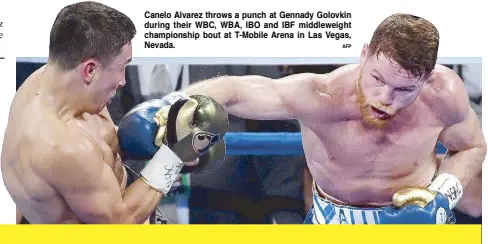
(27, 25)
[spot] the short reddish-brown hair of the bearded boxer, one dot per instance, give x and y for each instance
(409, 40)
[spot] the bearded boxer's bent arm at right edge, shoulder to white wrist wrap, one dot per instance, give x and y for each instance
(462, 137)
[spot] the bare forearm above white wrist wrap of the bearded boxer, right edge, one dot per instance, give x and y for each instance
(465, 165)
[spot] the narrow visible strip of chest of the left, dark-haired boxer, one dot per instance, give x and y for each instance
(103, 131)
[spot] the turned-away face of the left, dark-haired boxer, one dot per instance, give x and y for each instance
(106, 79)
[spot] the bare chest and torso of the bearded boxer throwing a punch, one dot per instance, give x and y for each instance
(363, 165)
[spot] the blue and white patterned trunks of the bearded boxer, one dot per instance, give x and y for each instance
(324, 211)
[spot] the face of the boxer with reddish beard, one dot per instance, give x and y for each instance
(384, 88)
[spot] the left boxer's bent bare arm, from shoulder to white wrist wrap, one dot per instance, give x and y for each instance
(90, 188)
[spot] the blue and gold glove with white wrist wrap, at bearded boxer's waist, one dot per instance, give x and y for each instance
(432, 205)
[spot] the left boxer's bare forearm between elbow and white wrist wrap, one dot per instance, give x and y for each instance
(139, 201)
